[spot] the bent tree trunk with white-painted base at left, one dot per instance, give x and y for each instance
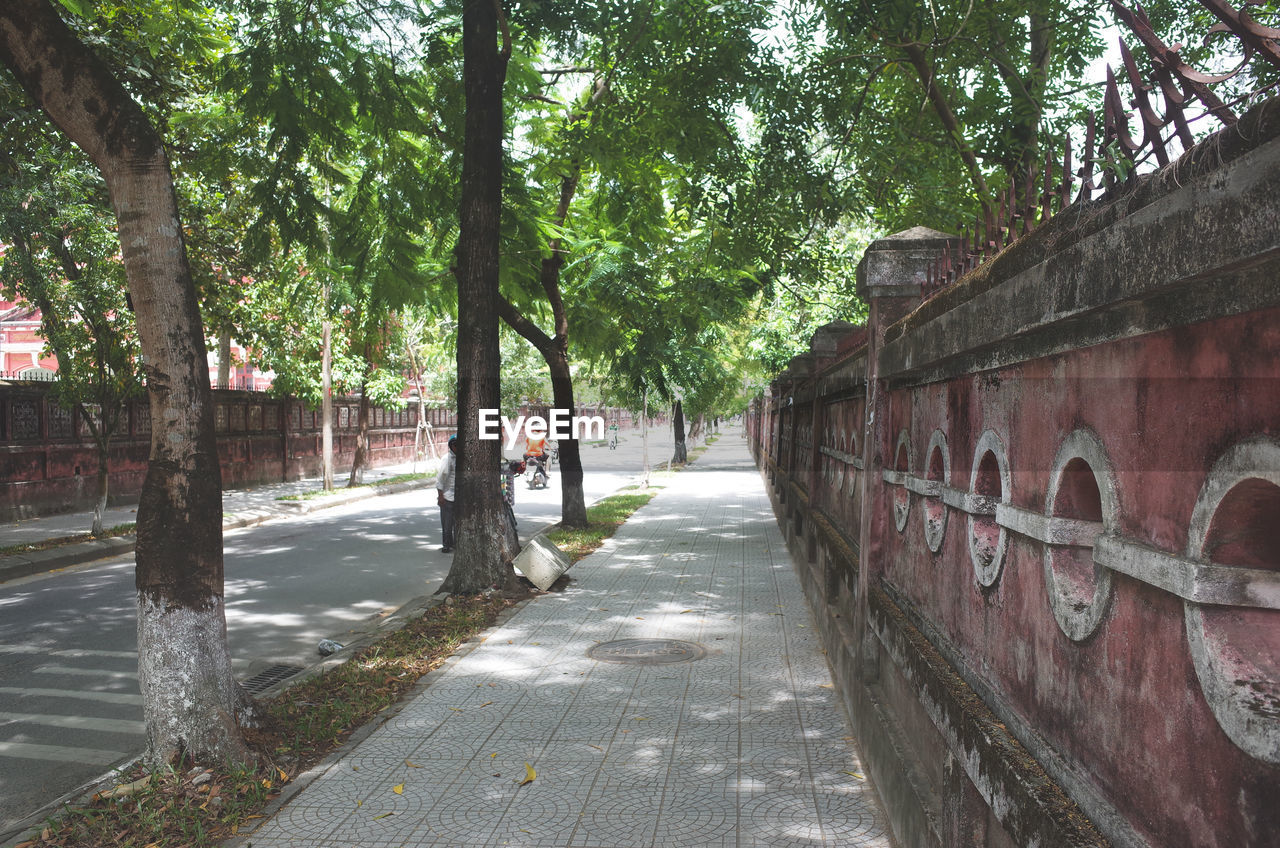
(190, 700)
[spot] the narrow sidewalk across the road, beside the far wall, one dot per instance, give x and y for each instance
(241, 508)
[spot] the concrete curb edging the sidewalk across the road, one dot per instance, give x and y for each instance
(20, 566)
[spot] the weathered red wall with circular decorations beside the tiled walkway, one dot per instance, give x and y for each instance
(1040, 518)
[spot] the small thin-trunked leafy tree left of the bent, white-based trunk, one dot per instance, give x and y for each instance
(63, 259)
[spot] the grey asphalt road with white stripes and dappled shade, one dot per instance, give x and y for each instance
(70, 704)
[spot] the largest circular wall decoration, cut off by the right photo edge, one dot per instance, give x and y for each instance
(1237, 649)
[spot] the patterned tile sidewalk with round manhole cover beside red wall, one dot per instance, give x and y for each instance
(730, 737)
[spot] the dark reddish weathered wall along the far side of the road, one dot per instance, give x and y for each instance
(49, 464)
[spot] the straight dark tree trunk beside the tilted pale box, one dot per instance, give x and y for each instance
(478, 560)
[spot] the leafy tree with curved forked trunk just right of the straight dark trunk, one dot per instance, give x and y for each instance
(642, 120)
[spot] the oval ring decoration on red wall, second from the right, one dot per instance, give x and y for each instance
(1081, 487)
